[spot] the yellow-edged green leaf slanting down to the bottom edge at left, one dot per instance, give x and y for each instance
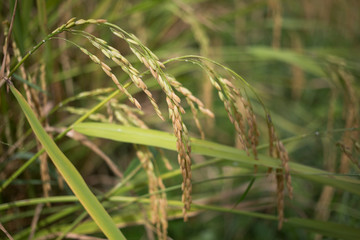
(70, 174)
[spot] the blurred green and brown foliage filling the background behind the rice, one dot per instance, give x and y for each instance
(301, 57)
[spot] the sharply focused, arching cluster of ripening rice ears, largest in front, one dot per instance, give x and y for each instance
(167, 83)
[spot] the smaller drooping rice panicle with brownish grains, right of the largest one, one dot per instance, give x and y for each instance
(242, 116)
